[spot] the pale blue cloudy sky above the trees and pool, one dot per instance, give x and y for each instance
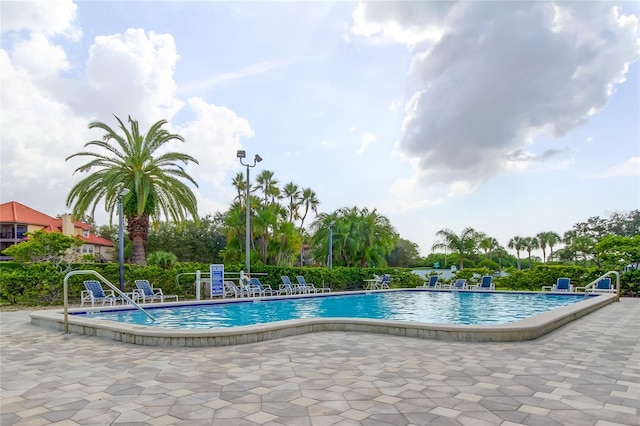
(513, 118)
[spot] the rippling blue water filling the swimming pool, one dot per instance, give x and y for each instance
(415, 306)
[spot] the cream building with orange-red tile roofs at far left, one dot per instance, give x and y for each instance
(17, 219)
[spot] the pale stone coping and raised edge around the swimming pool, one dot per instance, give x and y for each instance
(526, 329)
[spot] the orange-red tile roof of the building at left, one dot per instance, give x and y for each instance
(14, 212)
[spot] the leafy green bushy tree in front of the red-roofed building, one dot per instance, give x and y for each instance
(41, 246)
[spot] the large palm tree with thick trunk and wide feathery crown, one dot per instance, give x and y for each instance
(135, 161)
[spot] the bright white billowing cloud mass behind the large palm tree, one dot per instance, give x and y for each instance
(45, 116)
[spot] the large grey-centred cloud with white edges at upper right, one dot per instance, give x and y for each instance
(500, 74)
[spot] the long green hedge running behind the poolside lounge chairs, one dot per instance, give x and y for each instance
(42, 283)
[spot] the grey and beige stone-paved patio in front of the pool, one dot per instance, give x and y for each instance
(586, 373)
